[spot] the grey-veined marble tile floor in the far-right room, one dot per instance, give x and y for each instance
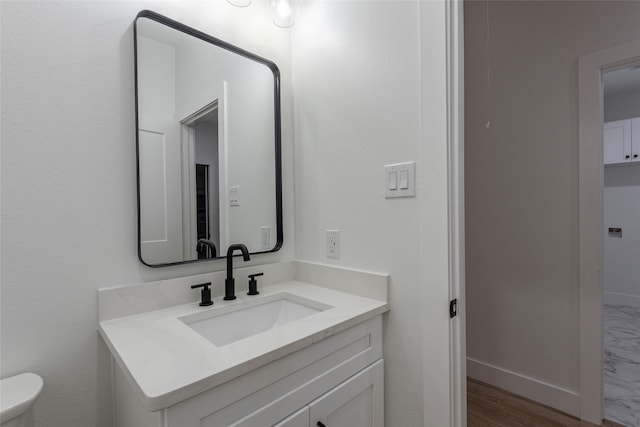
(622, 364)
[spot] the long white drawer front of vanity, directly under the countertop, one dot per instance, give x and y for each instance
(284, 386)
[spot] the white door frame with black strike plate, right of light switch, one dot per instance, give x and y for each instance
(443, 346)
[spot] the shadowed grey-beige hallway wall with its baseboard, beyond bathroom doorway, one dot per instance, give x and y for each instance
(522, 187)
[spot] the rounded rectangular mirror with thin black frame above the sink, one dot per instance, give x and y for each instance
(208, 145)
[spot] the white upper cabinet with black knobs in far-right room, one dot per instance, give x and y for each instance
(622, 141)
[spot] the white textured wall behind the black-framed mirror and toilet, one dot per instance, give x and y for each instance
(69, 184)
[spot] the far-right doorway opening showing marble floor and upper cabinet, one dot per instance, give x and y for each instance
(621, 251)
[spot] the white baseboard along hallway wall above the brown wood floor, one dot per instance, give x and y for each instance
(548, 394)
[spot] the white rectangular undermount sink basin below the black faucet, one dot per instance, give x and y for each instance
(223, 327)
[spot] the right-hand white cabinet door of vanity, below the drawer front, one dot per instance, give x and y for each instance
(358, 402)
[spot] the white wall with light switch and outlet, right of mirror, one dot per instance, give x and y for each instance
(363, 100)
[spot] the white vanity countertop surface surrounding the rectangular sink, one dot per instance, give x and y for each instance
(167, 362)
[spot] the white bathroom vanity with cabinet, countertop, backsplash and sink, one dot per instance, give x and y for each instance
(297, 354)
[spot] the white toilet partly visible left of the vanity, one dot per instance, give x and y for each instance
(17, 395)
